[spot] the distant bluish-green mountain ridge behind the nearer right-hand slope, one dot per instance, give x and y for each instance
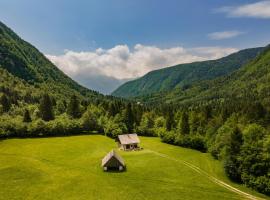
(184, 75)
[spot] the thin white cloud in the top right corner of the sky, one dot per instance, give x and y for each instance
(259, 9)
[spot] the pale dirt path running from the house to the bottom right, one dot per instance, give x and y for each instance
(212, 178)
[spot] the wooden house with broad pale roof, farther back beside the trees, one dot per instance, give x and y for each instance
(128, 142)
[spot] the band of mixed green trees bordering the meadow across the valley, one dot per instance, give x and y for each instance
(235, 131)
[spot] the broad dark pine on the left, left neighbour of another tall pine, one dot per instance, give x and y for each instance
(46, 108)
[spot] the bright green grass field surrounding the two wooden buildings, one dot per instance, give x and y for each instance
(69, 168)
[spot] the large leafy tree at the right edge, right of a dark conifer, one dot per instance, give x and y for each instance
(255, 160)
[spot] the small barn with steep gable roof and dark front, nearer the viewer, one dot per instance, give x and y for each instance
(113, 161)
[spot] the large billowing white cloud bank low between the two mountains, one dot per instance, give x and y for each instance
(121, 62)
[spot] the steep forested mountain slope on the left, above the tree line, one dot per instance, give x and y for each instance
(22, 60)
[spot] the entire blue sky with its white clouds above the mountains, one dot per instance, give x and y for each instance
(104, 43)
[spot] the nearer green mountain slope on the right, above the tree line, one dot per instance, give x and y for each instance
(252, 80)
